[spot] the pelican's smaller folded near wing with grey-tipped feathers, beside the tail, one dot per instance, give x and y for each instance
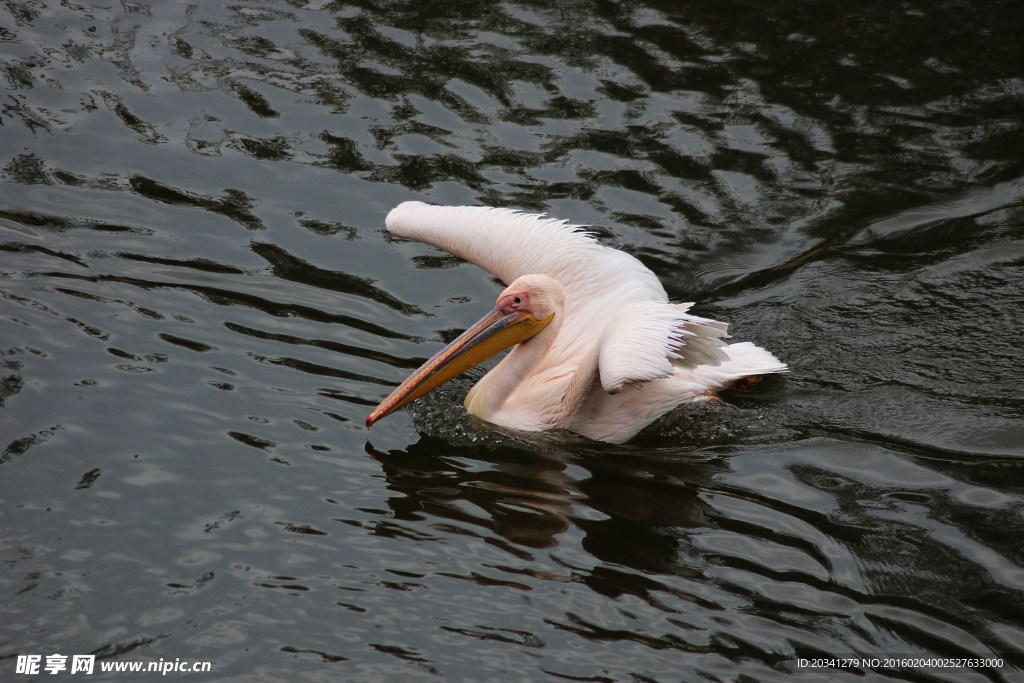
(649, 339)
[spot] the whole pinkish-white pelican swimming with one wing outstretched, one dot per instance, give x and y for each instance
(600, 351)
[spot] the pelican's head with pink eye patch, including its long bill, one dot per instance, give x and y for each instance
(522, 311)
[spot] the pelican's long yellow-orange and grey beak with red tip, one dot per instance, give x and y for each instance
(495, 333)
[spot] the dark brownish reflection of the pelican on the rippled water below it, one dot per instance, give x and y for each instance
(531, 498)
